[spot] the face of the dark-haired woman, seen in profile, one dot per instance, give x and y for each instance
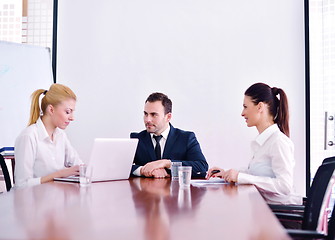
(251, 112)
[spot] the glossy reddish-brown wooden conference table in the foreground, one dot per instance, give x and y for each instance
(139, 208)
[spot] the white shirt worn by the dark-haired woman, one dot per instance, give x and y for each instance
(271, 167)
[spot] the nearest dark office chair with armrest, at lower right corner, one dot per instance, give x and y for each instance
(317, 199)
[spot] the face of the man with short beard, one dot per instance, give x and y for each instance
(155, 119)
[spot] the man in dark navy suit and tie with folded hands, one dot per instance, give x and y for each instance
(161, 143)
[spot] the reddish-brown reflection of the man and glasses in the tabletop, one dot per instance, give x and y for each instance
(159, 201)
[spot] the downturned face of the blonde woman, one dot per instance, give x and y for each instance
(62, 114)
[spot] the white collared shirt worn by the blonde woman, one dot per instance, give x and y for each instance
(36, 155)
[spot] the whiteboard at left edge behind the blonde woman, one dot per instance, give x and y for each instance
(23, 69)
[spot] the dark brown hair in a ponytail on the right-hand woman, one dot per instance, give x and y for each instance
(278, 107)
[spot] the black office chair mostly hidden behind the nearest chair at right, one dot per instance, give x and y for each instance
(298, 208)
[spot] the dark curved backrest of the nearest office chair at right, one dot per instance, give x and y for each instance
(316, 195)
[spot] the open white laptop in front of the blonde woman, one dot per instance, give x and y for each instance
(111, 159)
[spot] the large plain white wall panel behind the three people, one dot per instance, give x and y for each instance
(202, 54)
